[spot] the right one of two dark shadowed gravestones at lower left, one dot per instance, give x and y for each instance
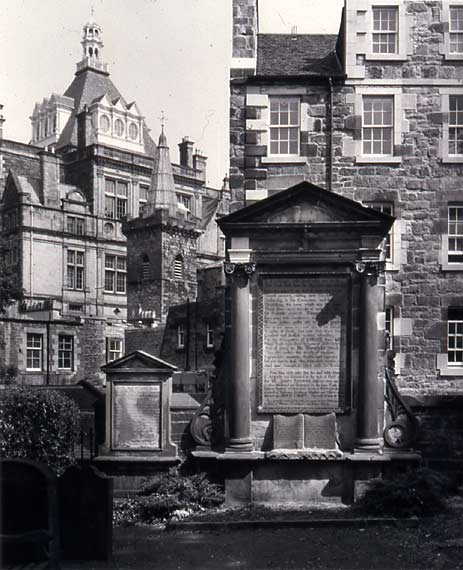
(85, 507)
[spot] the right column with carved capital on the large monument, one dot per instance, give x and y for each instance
(368, 439)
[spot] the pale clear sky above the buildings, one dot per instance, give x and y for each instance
(170, 56)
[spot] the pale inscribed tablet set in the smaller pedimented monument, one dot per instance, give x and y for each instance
(136, 417)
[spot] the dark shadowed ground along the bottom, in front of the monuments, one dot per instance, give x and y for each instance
(432, 543)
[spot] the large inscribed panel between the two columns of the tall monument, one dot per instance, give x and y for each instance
(303, 334)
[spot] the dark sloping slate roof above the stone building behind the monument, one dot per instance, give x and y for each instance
(297, 54)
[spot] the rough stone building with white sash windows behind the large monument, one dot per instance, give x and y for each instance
(374, 114)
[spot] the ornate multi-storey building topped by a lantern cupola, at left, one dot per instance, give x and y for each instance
(88, 167)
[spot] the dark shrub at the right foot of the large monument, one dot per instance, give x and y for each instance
(415, 493)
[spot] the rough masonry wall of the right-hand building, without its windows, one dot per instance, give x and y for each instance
(419, 181)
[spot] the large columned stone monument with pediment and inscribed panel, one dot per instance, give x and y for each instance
(304, 404)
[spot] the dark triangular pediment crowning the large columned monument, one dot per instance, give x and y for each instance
(304, 203)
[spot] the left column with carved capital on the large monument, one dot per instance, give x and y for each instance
(239, 391)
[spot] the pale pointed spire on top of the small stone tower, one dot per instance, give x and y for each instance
(161, 194)
